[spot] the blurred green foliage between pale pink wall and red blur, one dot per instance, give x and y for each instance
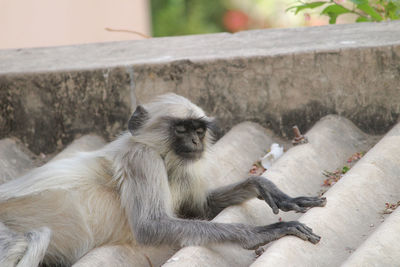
(181, 17)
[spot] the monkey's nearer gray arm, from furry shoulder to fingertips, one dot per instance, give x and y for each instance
(145, 197)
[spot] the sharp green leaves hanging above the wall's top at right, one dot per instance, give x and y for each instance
(365, 10)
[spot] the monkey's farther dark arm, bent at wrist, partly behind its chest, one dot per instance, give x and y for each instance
(261, 187)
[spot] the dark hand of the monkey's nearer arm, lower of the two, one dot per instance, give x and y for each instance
(268, 233)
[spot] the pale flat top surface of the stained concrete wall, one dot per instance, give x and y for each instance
(198, 48)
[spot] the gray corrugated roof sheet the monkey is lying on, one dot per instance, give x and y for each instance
(354, 229)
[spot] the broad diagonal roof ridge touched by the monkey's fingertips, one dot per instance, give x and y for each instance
(353, 211)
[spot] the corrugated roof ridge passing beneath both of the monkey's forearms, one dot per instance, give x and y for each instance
(297, 172)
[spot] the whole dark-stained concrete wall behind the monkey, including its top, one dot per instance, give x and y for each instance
(275, 77)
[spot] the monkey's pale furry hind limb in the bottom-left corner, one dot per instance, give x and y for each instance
(23, 250)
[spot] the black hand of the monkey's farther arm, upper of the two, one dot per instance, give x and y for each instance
(278, 200)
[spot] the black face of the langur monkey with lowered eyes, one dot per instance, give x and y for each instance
(188, 137)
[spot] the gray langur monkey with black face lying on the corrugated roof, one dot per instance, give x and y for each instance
(150, 186)
